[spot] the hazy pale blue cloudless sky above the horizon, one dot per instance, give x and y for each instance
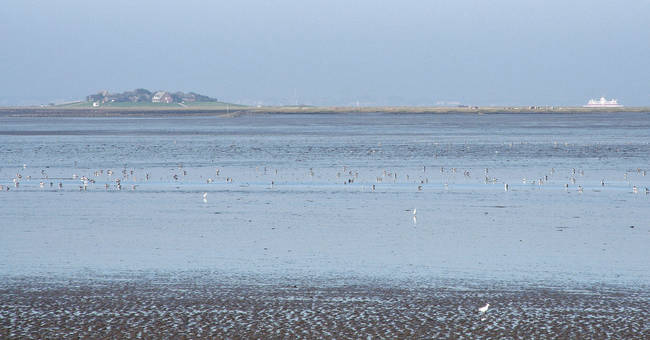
(335, 52)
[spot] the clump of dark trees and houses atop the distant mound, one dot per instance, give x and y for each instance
(141, 96)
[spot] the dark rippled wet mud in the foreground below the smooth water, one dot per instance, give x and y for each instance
(177, 307)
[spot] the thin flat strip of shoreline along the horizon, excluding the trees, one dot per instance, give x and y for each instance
(221, 111)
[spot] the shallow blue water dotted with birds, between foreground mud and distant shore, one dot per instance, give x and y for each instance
(300, 200)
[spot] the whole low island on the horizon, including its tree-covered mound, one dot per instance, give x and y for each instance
(143, 102)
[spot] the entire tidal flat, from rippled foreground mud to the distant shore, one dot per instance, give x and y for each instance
(320, 225)
